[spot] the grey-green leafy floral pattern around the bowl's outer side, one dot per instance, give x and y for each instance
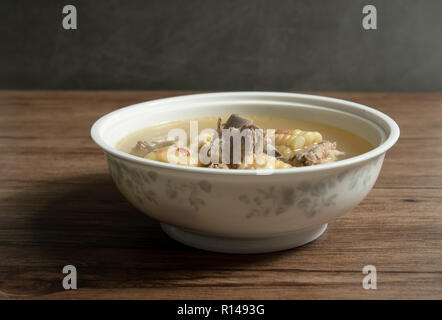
(304, 197)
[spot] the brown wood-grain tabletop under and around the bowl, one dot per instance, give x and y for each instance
(58, 206)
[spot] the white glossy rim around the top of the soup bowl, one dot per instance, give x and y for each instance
(390, 140)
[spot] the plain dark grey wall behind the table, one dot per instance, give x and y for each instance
(222, 45)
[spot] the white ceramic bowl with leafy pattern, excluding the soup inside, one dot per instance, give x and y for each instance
(245, 211)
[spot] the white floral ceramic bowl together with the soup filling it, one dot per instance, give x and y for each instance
(245, 172)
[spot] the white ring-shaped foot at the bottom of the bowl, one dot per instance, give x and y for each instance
(244, 245)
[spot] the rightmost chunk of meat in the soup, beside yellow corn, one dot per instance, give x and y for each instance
(323, 152)
